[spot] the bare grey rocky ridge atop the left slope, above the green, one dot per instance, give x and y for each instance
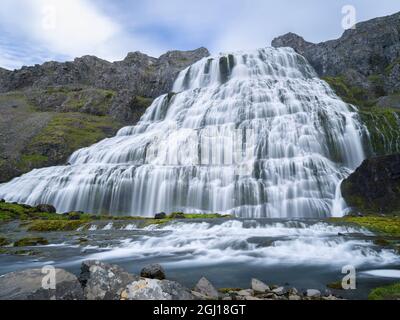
(138, 73)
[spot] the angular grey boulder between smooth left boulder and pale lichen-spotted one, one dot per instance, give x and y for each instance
(103, 281)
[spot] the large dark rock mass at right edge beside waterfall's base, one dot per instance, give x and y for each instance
(375, 186)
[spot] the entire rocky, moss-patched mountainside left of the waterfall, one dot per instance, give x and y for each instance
(48, 111)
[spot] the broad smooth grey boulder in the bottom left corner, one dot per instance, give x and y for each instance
(28, 285)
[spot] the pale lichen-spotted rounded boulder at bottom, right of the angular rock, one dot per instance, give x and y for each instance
(153, 289)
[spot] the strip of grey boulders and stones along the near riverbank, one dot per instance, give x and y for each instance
(101, 281)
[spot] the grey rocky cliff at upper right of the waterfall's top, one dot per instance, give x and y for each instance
(367, 57)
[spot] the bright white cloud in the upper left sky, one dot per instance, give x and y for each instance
(69, 28)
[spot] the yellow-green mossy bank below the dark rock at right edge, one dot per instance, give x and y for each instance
(385, 225)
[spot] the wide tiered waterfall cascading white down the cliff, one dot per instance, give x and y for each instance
(254, 134)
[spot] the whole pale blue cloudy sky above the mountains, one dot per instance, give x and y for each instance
(35, 31)
